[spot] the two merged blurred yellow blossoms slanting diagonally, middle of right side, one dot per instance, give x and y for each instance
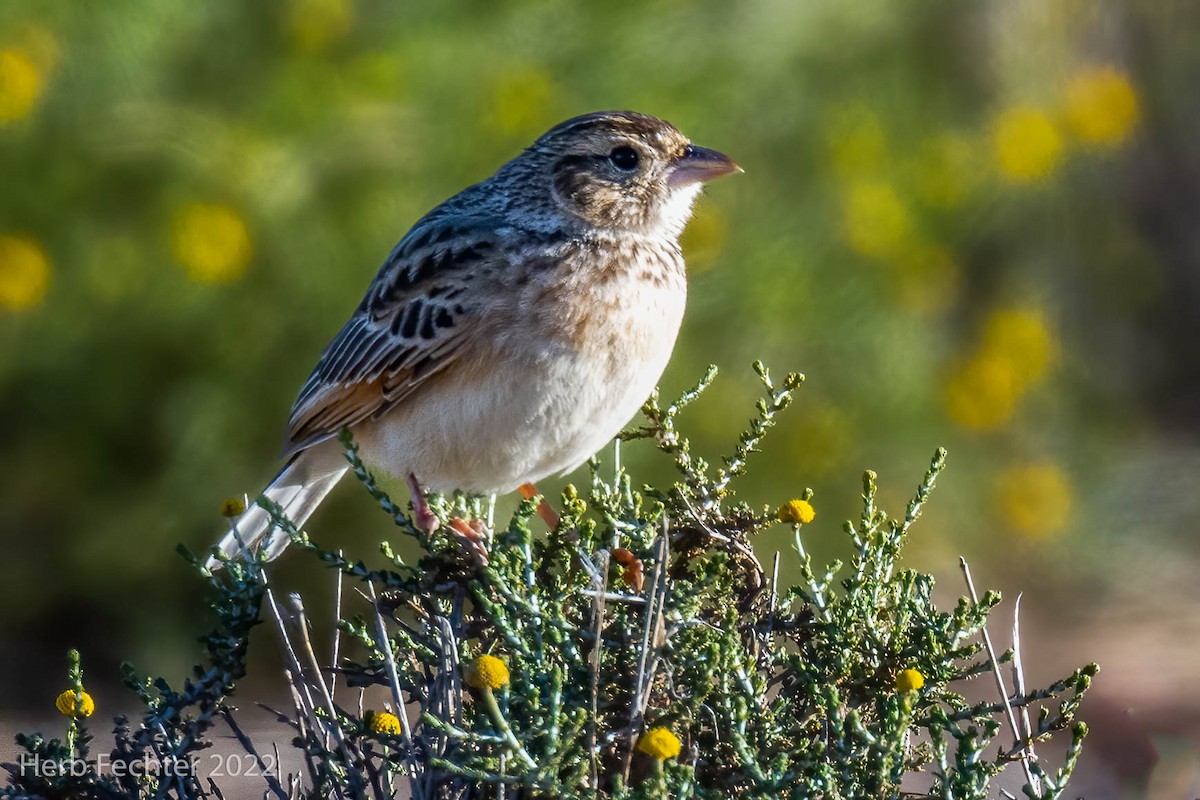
(1016, 351)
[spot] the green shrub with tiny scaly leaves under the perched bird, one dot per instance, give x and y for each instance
(644, 609)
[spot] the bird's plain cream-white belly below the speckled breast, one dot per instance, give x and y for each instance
(538, 405)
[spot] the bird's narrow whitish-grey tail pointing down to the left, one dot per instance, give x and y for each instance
(298, 490)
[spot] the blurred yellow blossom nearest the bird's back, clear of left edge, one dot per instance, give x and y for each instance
(212, 242)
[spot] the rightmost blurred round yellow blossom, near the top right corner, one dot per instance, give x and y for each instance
(1102, 106)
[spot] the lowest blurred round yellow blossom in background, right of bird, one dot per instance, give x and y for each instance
(1034, 500)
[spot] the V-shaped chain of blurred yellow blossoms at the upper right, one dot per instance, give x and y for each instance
(1099, 110)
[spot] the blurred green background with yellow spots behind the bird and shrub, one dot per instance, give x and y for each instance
(971, 225)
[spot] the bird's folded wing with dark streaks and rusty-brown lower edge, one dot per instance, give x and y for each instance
(412, 326)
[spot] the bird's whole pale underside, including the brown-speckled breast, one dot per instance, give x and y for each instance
(566, 357)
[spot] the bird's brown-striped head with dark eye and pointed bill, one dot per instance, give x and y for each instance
(625, 172)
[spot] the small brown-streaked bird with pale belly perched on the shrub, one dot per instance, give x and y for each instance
(514, 330)
